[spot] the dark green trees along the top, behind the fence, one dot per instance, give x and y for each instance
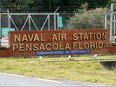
(50, 5)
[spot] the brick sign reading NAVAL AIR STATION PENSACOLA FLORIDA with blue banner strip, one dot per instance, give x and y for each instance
(33, 43)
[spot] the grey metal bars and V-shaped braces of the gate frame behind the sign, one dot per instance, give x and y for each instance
(30, 20)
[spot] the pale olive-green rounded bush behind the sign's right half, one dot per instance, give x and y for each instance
(90, 19)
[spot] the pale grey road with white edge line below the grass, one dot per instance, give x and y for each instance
(10, 80)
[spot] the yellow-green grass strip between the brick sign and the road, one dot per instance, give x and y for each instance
(88, 71)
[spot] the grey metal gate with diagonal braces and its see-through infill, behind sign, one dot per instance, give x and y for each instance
(12, 19)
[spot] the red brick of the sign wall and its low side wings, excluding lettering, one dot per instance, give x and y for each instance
(48, 36)
